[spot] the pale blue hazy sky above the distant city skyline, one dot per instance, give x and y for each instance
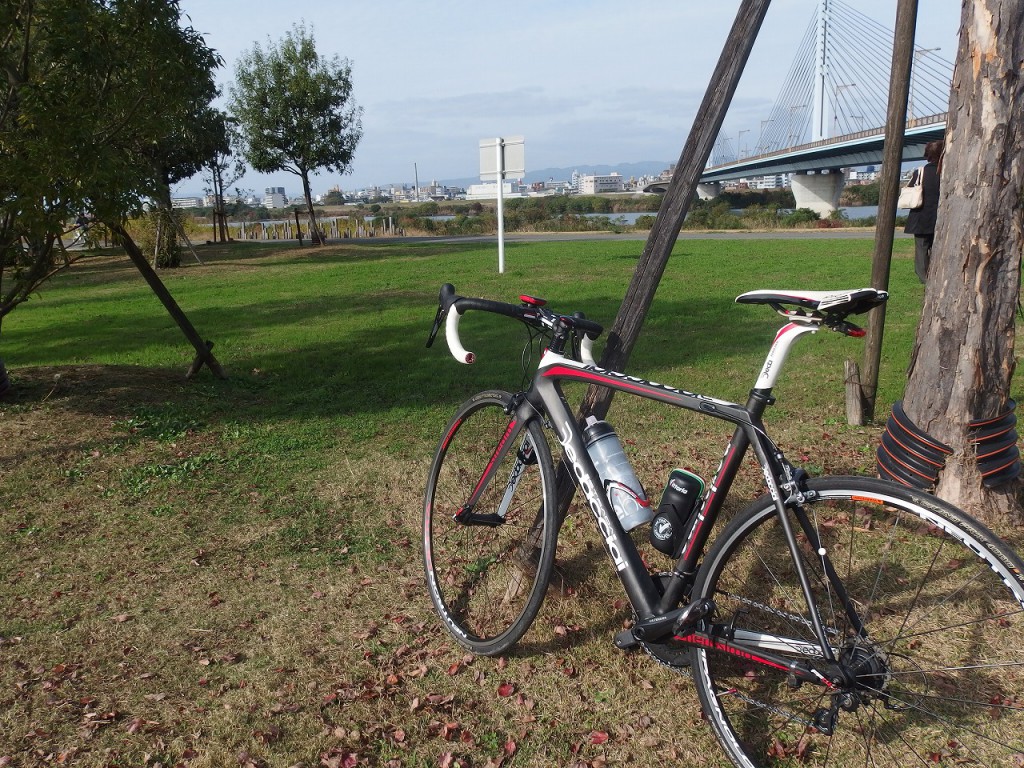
(583, 81)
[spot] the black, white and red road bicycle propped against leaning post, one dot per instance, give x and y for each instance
(837, 621)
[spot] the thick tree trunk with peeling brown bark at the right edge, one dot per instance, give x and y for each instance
(963, 361)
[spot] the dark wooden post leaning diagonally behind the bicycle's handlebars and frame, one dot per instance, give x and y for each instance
(707, 125)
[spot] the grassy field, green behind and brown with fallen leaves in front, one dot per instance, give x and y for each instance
(228, 573)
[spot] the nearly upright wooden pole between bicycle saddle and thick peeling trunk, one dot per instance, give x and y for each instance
(892, 160)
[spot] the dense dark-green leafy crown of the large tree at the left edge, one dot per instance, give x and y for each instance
(97, 106)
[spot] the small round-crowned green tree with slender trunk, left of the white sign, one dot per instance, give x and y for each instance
(295, 111)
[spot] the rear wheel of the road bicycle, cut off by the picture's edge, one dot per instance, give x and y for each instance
(936, 675)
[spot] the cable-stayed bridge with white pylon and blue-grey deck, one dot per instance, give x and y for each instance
(831, 111)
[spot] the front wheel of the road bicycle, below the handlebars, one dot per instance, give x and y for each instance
(488, 582)
